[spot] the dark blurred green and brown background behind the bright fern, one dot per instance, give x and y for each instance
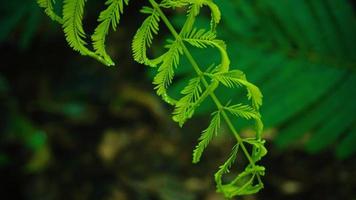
(71, 128)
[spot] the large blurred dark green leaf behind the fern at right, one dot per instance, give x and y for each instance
(302, 54)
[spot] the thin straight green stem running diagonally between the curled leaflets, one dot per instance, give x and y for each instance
(193, 62)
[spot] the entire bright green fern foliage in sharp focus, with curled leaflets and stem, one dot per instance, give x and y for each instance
(199, 88)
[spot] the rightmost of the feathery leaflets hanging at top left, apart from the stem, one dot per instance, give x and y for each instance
(110, 16)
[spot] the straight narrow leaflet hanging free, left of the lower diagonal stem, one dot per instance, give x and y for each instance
(207, 136)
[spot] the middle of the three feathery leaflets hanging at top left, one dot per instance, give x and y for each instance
(72, 24)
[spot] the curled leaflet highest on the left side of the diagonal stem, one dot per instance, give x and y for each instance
(144, 37)
